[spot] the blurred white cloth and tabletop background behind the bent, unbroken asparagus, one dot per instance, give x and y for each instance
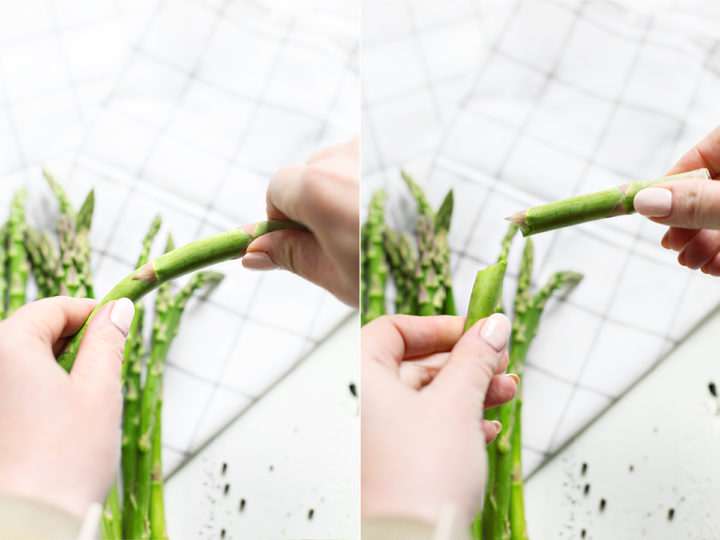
(185, 108)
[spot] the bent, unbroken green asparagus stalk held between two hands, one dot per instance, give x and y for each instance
(193, 256)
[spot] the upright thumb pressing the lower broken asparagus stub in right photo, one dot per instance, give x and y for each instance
(474, 360)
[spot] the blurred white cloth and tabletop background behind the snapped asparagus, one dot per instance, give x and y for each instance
(515, 104)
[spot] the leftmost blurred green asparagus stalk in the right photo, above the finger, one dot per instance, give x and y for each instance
(377, 266)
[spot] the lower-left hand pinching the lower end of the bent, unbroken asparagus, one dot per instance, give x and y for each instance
(60, 438)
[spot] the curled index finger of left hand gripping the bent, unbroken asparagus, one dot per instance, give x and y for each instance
(44, 322)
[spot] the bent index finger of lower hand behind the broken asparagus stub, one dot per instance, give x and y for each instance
(394, 338)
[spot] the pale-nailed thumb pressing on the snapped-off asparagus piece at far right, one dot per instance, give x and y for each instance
(692, 203)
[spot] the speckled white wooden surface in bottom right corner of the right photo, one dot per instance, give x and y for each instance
(654, 457)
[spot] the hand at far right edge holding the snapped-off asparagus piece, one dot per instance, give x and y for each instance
(691, 207)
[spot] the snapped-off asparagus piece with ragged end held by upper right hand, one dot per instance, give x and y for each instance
(617, 201)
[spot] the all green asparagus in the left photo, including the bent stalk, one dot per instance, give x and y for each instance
(63, 267)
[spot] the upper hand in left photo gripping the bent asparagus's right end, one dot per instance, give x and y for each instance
(323, 194)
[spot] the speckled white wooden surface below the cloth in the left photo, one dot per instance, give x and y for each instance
(295, 451)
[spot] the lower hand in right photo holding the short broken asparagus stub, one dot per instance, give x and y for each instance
(425, 386)
